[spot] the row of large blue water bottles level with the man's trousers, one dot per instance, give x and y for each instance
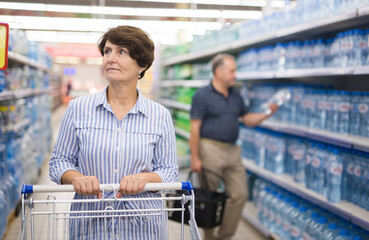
(334, 172)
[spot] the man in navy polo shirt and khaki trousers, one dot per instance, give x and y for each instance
(215, 114)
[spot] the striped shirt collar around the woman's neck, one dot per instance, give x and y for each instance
(140, 106)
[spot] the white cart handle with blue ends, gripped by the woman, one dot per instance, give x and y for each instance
(27, 189)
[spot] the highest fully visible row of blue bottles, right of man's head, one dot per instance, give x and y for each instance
(349, 48)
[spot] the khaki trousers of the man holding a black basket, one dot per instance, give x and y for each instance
(225, 160)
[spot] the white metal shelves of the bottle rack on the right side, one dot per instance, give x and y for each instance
(329, 25)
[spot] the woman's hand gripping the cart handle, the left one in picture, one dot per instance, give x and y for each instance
(87, 185)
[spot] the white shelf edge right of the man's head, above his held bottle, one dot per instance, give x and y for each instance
(311, 72)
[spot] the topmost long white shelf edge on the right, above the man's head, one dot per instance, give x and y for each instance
(310, 29)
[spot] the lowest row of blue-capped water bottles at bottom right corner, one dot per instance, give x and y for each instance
(293, 218)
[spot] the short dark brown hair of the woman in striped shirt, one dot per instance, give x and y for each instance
(139, 44)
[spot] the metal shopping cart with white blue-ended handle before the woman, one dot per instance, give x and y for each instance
(102, 218)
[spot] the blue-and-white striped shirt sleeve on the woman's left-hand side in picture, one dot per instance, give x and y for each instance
(65, 151)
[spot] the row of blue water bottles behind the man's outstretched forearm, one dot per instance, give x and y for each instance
(318, 107)
